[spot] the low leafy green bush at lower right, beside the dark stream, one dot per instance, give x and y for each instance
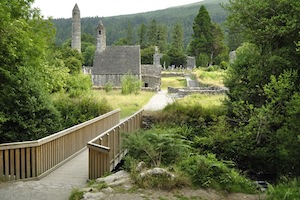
(208, 171)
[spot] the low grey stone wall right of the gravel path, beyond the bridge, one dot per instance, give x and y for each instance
(200, 90)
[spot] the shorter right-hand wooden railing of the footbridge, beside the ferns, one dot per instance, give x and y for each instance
(106, 151)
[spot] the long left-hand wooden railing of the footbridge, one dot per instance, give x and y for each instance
(35, 159)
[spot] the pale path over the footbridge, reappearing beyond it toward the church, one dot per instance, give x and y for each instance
(74, 174)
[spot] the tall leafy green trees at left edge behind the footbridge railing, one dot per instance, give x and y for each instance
(26, 110)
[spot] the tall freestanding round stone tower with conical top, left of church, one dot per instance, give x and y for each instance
(76, 29)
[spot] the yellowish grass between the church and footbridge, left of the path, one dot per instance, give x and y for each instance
(129, 104)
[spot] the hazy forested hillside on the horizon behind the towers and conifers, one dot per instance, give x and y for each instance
(117, 26)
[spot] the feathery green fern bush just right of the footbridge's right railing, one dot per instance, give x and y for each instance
(157, 146)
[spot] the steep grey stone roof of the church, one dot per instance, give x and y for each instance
(118, 60)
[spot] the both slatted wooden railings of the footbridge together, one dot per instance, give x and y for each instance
(101, 135)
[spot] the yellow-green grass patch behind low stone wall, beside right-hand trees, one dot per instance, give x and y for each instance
(213, 78)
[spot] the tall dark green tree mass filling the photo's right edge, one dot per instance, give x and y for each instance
(264, 83)
